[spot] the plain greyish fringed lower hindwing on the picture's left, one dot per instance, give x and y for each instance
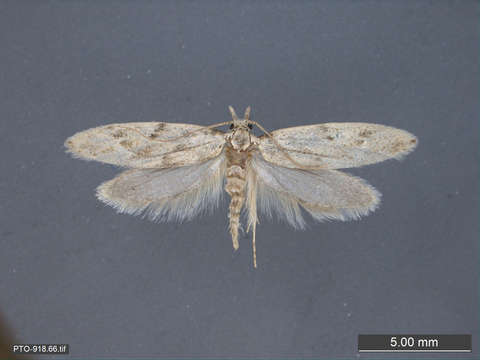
(173, 194)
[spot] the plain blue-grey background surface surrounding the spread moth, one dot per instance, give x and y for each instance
(73, 271)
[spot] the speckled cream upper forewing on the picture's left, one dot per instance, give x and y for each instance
(147, 144)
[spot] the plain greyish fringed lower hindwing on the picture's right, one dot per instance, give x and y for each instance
(325, 194)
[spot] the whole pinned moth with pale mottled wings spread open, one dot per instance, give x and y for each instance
(177, 171)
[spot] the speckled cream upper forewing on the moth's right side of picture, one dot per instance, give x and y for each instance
(336, 145)
